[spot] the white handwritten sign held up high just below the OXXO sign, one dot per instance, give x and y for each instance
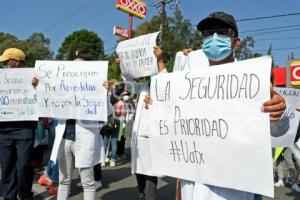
(137, 57)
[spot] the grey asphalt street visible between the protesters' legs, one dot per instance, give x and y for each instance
(120, 184)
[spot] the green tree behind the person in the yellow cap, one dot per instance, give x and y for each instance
(36, 47)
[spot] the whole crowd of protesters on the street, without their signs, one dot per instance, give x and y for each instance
(87, 147)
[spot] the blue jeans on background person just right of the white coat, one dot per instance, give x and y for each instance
(114, 137)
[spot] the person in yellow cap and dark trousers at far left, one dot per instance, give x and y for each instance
(16, 144)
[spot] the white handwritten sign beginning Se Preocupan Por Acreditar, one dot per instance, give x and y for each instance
(72, 89)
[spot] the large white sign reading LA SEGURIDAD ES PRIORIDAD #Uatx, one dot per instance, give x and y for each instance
(208, 124)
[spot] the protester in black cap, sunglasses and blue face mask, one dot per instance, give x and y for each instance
(220, 35)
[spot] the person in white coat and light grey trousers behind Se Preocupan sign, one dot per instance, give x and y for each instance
(80, 140)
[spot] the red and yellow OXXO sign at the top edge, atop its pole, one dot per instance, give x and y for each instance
(135, 7)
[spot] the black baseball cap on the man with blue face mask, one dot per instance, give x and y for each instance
(219, 20)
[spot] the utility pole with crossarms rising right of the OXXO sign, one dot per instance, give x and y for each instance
(161, 5)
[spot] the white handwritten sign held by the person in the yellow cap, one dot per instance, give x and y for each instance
(17, 96)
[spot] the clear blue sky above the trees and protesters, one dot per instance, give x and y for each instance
(58, 18)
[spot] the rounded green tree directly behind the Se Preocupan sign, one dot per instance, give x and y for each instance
(83, 41)
